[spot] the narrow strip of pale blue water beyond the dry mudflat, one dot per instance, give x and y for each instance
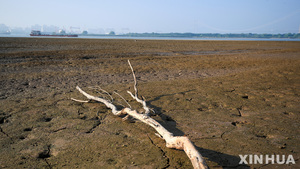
(156, 38)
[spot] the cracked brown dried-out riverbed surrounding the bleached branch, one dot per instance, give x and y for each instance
(230, 98)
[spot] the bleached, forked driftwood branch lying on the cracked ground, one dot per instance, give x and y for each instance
(177, 142)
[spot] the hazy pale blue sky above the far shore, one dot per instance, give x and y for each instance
(161, 16)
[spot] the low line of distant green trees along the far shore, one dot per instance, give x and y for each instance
(205, 35)
